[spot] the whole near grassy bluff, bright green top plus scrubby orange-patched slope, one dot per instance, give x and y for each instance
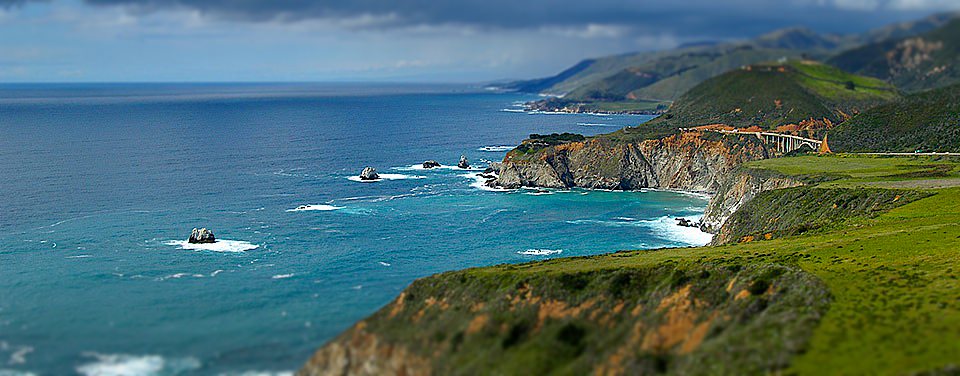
(875, 294)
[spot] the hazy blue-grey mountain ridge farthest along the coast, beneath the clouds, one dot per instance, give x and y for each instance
(650, 79)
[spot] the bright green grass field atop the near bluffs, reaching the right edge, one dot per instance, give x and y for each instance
(893, 278)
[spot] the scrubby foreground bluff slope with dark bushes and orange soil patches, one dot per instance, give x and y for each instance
(600, 317)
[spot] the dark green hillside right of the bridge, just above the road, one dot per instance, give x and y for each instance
(928, 121)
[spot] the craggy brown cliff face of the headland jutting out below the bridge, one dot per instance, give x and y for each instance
(690, 161)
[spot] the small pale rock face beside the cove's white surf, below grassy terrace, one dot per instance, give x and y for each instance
(736, 190)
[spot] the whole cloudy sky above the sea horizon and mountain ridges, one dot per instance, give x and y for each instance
(385, 40)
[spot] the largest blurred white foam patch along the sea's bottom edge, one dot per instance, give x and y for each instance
(146, 365)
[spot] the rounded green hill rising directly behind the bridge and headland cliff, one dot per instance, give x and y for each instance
(768, 96)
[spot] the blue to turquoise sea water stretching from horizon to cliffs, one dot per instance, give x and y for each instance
(99, 183)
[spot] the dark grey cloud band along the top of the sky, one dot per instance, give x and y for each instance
(733, 18)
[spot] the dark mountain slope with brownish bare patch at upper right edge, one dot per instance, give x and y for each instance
(916, 63)
